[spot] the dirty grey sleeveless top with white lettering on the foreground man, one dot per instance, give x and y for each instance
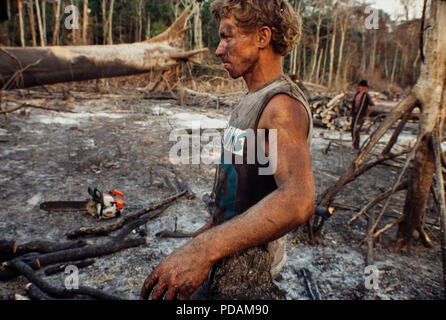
(239, 182)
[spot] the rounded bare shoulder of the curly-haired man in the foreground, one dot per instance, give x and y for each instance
(284, 111)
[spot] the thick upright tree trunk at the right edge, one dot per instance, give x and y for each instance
(431, 91)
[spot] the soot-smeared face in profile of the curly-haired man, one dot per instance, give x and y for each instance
(237, 51)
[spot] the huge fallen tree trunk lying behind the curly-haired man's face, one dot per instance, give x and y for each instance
(27, 67)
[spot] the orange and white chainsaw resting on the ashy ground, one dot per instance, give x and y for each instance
(101, 205)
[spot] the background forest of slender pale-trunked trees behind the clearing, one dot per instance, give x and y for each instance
(337, 47)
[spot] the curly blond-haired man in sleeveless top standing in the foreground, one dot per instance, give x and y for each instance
(253, 209)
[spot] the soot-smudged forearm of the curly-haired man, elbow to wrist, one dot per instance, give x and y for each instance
(276, 215)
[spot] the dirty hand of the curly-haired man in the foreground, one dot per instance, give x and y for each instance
(179, 275)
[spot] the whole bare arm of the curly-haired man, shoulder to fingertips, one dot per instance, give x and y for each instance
(291, 205)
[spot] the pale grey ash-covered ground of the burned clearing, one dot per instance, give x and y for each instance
(121, 141)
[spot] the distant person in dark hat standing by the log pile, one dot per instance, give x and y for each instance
(362, 108)
